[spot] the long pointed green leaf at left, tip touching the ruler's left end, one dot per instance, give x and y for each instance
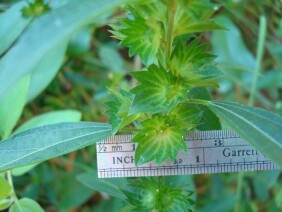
(42, 143)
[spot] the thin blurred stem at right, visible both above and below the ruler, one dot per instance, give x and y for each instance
(260, 51)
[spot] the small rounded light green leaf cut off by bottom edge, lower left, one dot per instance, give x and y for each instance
(26, 205)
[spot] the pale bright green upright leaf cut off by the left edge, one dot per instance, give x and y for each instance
(11, 106)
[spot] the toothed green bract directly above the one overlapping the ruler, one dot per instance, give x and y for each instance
(159, 91)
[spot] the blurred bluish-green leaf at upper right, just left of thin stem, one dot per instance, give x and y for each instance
(233, 56)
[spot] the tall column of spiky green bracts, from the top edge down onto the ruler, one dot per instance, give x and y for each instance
(162, 33)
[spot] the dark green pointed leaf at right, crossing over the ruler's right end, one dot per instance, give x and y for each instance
(260, 128)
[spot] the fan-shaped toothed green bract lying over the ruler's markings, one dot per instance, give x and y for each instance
(160, 139)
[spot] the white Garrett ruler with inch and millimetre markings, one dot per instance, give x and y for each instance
(208, 152)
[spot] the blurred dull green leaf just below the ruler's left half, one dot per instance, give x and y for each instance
(111, 186)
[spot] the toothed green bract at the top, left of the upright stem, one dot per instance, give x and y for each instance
(142, 30)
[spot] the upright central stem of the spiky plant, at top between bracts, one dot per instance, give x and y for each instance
(169, 34)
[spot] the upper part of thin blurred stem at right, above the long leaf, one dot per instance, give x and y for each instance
(260, 51)
